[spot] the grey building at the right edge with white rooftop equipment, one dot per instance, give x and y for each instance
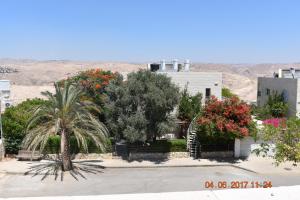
(285, 82)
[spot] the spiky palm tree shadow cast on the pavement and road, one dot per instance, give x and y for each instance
(53, 167)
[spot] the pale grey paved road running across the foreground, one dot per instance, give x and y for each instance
(134, 180)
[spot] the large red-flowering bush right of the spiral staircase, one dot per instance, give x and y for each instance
(230, 118)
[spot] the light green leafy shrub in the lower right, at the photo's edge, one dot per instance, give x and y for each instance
(286, 138)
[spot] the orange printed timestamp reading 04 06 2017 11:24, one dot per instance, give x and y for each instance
(237, 184)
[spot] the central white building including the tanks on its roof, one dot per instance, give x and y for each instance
(207, 83)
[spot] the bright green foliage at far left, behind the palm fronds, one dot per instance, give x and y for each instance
(14, 121)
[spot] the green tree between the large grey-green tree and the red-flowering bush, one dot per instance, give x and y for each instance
(189, 106)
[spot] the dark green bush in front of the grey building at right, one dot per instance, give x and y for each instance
(275, 107)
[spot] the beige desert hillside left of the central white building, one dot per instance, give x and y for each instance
(30, 77)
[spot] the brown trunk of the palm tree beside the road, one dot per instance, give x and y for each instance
(65, 151)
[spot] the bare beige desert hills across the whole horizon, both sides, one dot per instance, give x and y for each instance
(30, 77)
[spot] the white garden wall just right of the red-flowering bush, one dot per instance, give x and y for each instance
(243, 147)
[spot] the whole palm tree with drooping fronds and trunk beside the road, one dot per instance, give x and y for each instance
(65, 115)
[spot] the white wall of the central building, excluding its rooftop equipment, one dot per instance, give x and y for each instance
(198, 82)
